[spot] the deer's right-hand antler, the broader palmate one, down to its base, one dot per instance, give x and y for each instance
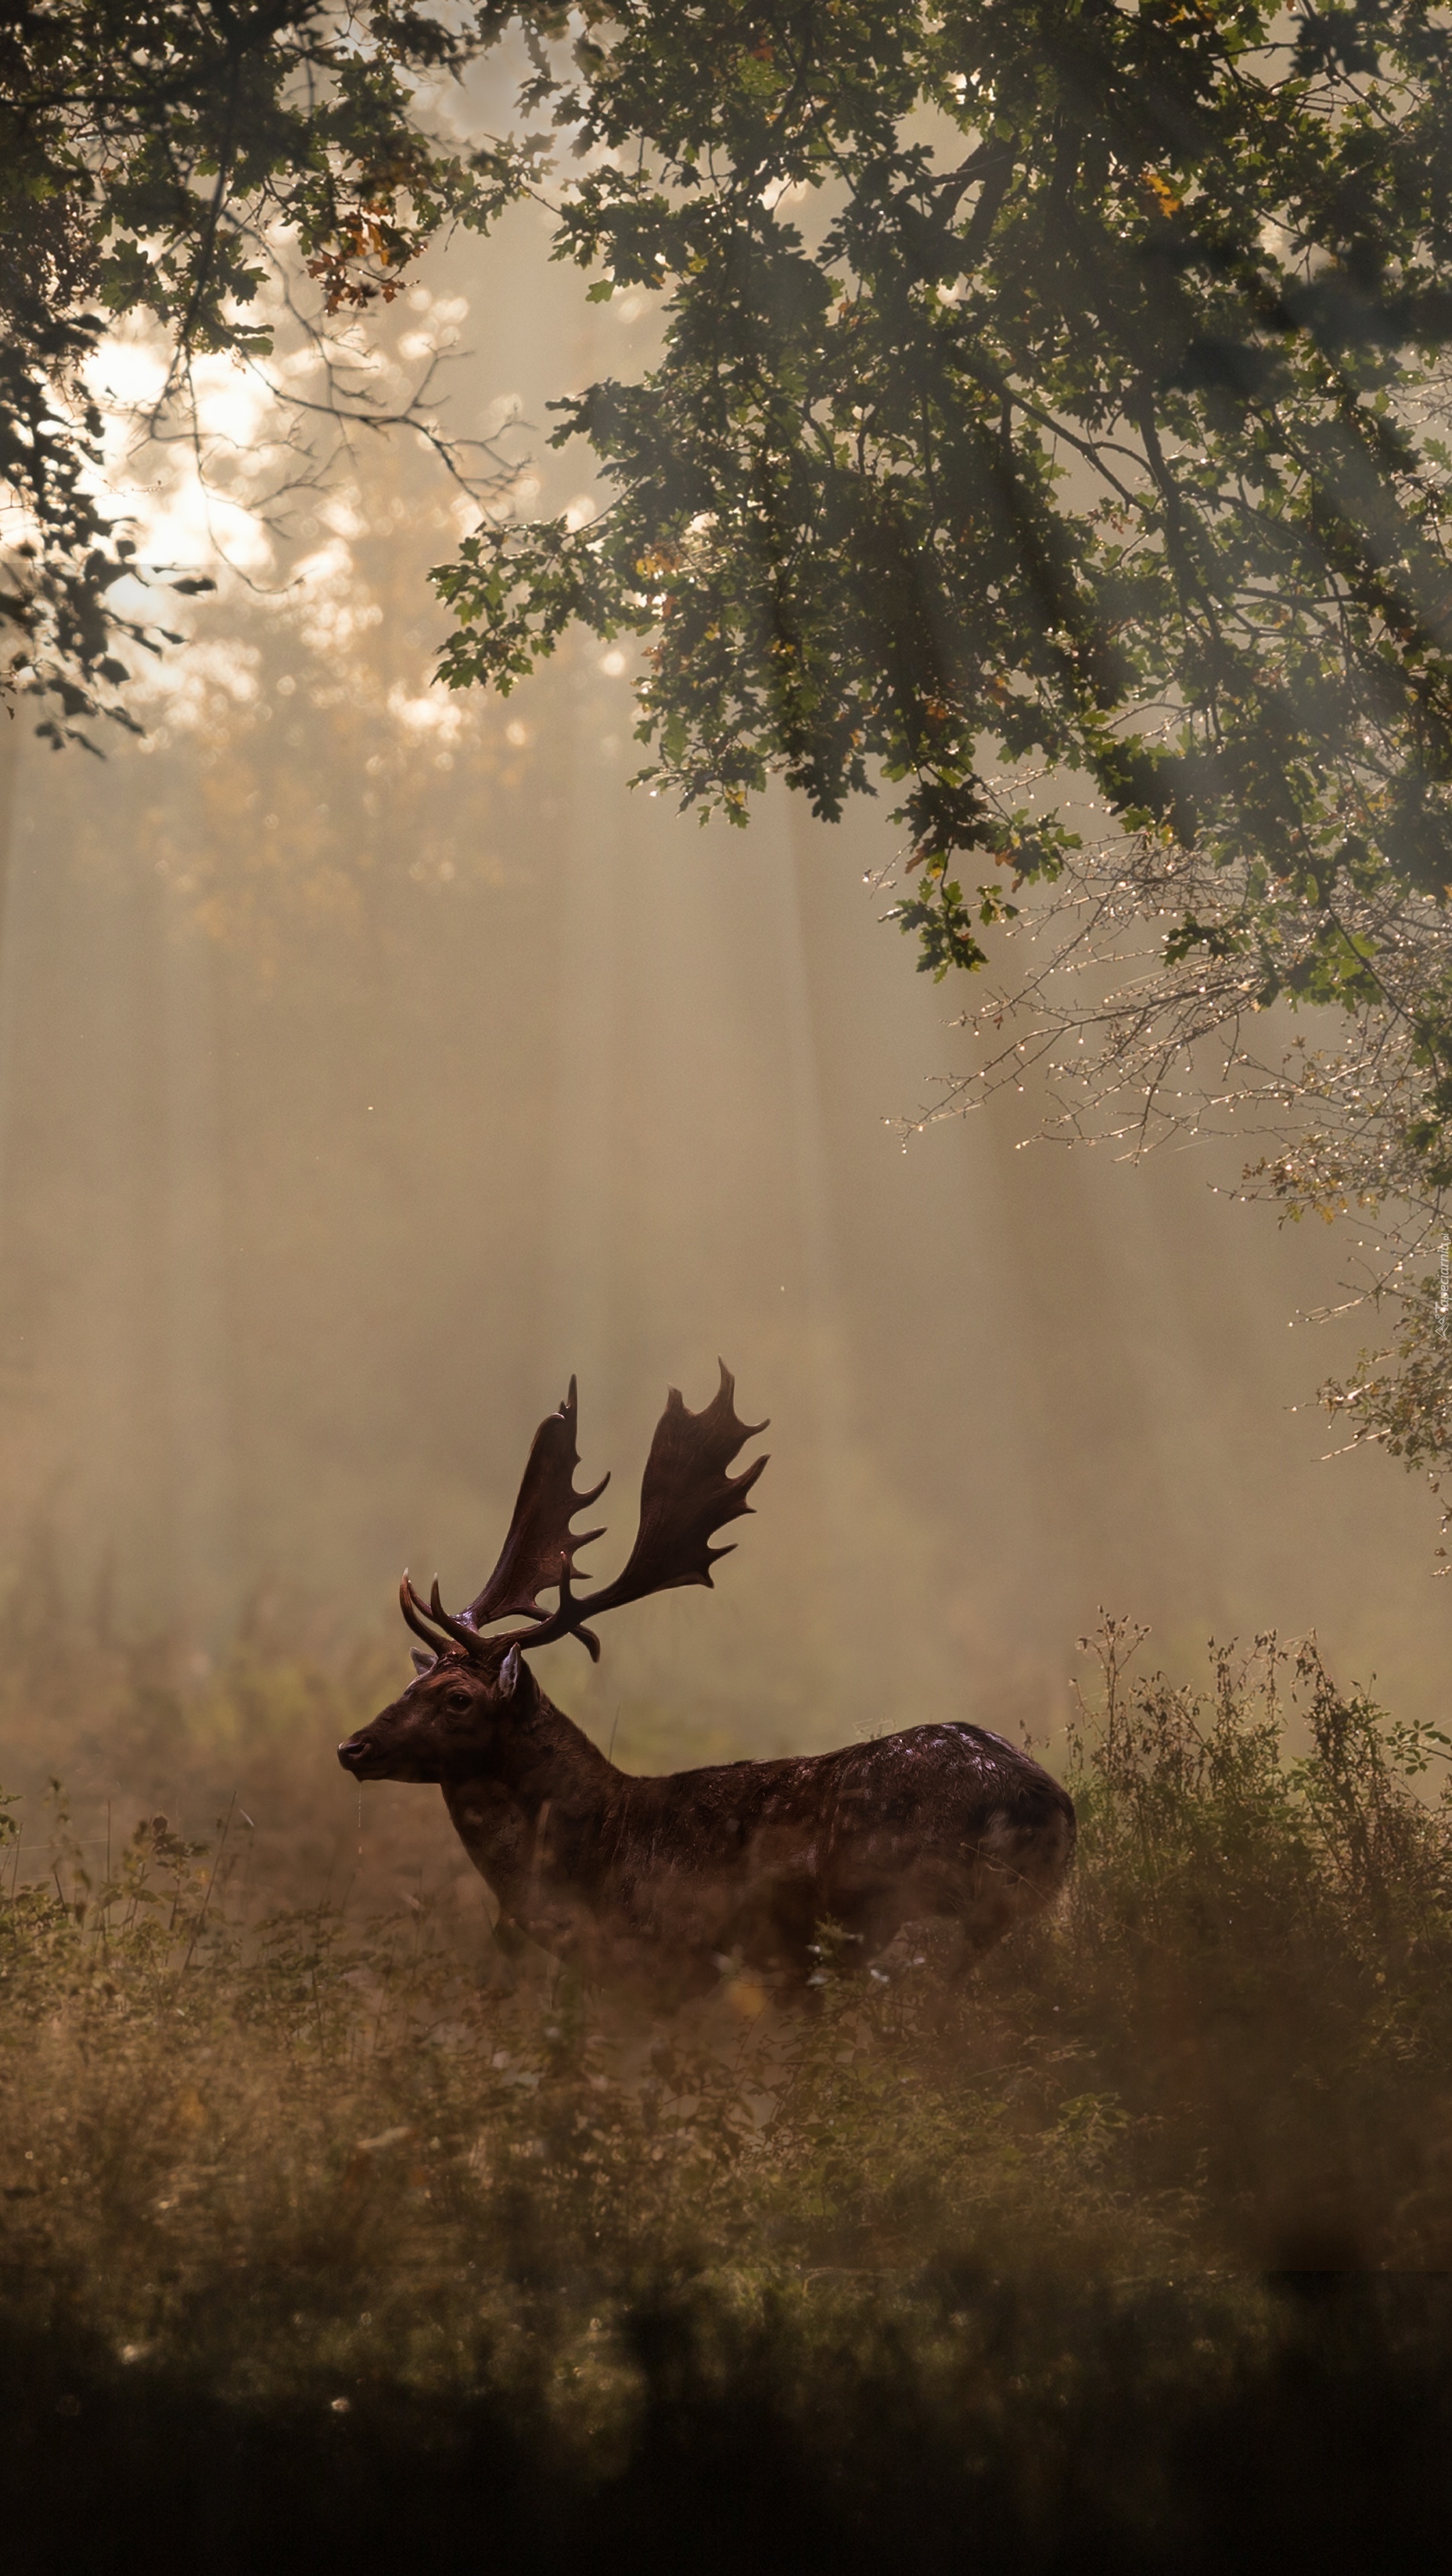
(686, 1498)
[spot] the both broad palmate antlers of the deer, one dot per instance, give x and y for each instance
(686, 1498)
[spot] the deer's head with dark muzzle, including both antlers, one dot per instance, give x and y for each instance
(475, 1683)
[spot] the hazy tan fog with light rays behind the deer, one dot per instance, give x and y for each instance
(369, 1063)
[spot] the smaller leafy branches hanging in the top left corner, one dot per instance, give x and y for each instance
(166, 158)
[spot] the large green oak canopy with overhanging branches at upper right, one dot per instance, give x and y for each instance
(1083, 429)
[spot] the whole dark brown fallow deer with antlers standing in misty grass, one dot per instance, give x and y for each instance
(663, 1879)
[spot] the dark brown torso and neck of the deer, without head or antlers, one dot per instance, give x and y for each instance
(658, 1882)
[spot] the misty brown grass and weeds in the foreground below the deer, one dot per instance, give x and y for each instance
(1137, 2240)
